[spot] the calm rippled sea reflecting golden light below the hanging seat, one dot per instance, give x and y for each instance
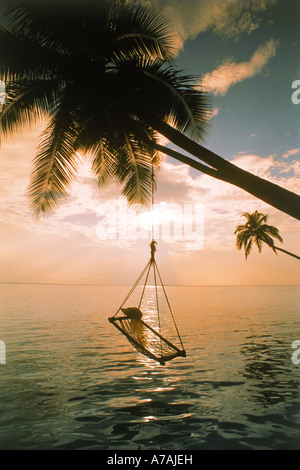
(72, 381)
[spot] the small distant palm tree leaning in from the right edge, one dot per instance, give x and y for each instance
(257, 231)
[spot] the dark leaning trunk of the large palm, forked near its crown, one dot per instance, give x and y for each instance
(276, 196)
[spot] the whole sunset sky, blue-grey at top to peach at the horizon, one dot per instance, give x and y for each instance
(246, 55)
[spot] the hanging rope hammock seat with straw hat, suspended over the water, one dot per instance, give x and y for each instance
(128, 320)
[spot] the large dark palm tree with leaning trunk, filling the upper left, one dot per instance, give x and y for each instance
(101, 73)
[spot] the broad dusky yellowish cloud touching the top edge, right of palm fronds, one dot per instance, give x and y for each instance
(227, 18)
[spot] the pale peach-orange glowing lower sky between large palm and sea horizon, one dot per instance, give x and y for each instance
(67, 247)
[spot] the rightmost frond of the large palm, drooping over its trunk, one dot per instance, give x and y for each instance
(156, 91)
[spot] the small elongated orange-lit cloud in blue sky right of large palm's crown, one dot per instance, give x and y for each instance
(230, 72)
